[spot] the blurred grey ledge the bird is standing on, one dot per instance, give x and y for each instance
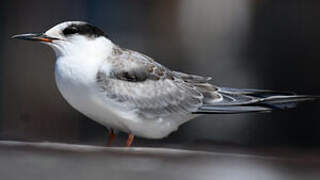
(48, 161)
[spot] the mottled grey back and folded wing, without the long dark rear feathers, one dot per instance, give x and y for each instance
(148, 88)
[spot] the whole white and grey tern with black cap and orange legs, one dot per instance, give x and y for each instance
(128, 91)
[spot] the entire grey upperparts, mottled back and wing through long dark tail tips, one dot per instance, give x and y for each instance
(141, 85)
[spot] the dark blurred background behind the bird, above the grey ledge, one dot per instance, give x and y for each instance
(268, 44)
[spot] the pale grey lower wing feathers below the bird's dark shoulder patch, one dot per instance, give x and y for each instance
(153, 99)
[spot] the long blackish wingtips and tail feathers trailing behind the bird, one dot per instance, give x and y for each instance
(234, 101)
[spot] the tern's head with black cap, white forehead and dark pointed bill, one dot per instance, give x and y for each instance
(70, 37)
